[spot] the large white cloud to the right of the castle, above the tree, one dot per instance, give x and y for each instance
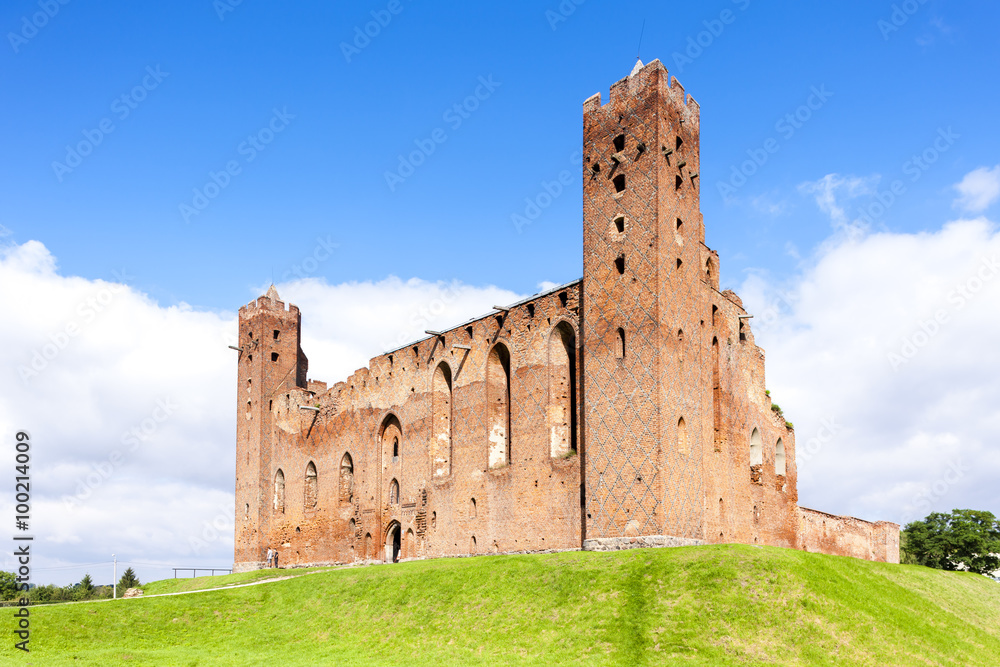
(888, 340)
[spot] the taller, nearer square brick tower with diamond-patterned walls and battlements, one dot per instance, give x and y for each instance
(643, 244)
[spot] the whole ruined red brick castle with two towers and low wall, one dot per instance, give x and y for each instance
(624, 409)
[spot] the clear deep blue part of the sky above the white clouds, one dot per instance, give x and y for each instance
(323, 175)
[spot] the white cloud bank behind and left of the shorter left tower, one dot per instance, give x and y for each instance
(130, 404)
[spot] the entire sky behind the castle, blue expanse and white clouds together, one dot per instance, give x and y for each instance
(865, 242)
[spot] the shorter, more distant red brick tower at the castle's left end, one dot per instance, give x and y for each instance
(271, 360)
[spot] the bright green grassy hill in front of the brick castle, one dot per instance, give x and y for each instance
(720, 605)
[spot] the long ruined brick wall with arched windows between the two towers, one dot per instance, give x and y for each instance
(531, 504)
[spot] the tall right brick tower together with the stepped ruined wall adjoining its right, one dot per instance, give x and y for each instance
(641, 478)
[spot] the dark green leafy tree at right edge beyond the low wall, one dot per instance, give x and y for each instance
(963, 540)
